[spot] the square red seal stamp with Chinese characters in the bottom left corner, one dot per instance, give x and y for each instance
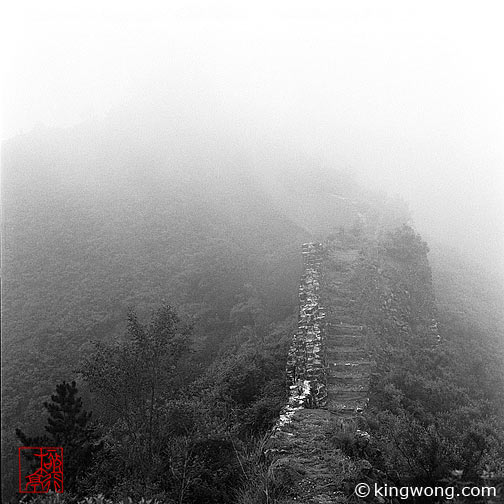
(40, 469)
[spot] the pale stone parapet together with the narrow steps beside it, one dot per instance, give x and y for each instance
(327, 365)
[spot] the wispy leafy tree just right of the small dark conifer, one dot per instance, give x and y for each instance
(134, 379)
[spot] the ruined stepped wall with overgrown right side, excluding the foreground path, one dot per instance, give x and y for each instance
(358, 295)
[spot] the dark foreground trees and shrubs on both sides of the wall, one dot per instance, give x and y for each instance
(167, 434)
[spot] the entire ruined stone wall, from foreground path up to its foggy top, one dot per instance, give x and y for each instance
(330, 366)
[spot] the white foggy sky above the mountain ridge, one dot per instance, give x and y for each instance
(408, 95)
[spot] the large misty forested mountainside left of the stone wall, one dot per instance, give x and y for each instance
(116, 214)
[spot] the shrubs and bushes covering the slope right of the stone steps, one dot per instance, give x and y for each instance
(434, 419)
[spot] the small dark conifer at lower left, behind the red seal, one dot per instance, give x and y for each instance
(68, 426)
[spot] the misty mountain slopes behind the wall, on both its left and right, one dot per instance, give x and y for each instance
(130, 212)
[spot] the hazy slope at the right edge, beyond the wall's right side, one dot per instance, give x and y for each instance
(471, 314)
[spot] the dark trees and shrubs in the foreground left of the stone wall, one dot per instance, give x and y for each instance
(157, 437)
